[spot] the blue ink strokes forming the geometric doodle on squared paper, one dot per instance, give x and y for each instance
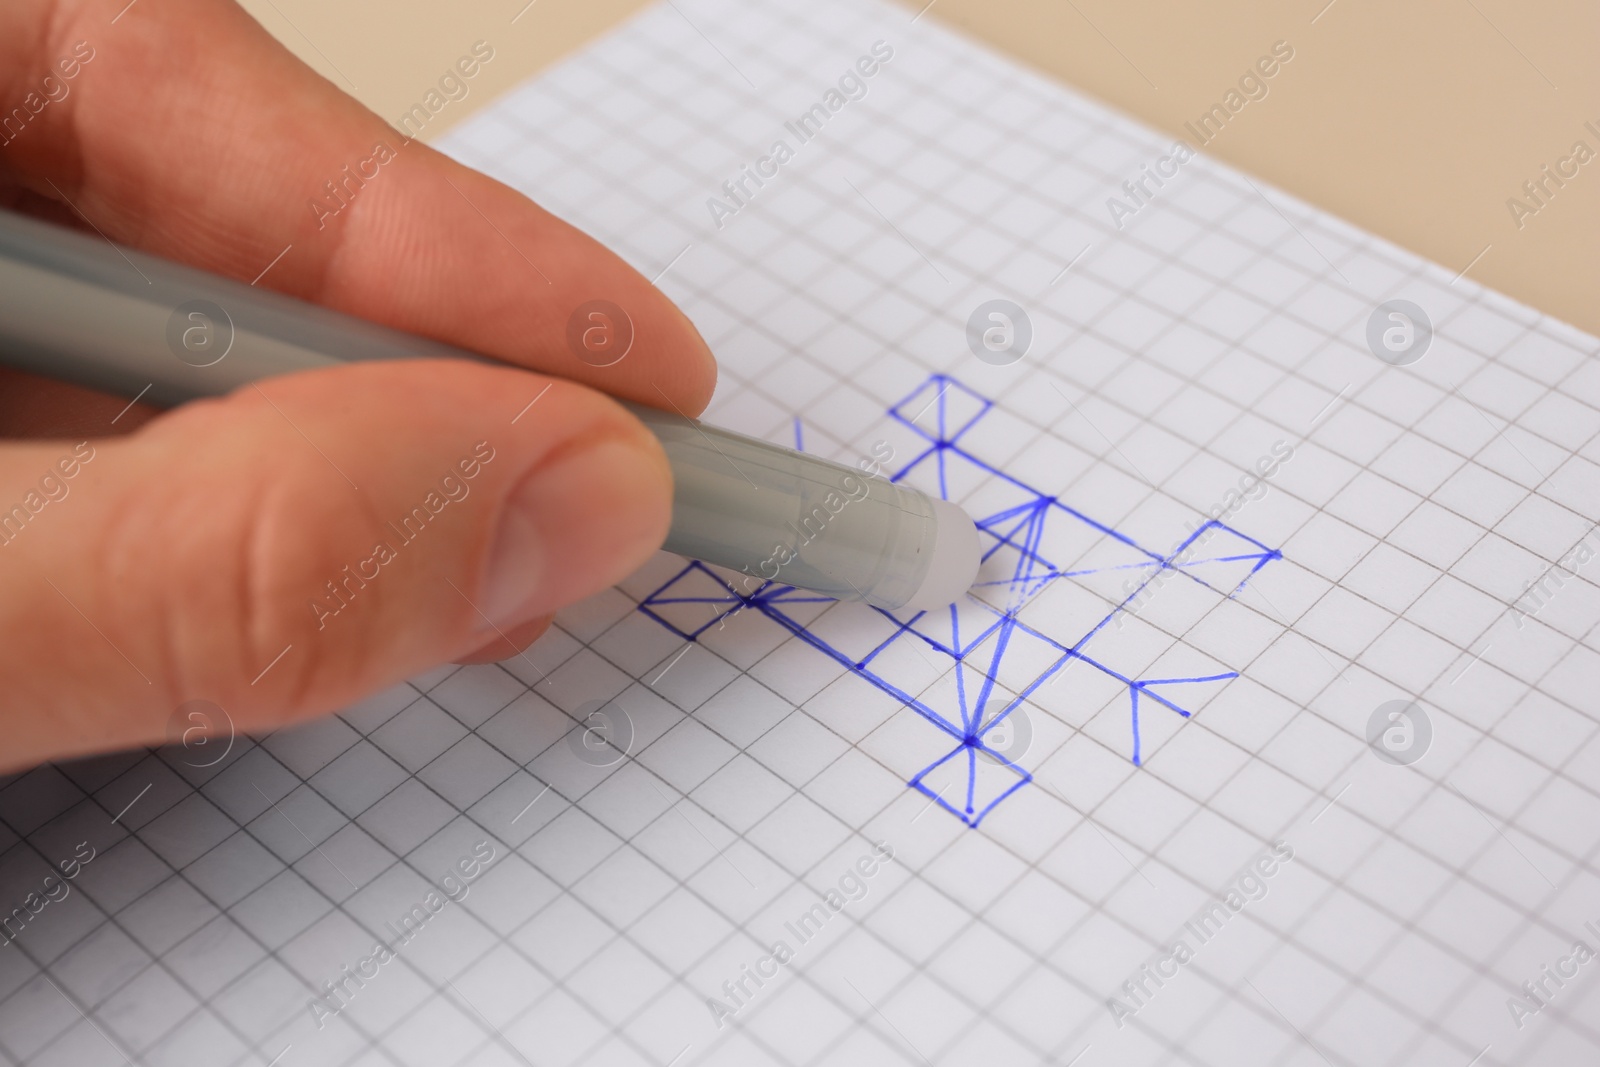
(1018, 529)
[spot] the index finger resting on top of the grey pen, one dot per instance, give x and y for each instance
(223, 167)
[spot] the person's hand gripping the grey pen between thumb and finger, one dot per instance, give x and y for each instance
(188, 561)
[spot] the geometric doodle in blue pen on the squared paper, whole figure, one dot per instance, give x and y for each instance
(991, 657)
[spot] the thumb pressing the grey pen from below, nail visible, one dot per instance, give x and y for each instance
(303, 543)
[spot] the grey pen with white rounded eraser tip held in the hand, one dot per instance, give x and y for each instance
(86, 311)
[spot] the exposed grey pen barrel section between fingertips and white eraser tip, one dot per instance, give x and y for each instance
(799, 521)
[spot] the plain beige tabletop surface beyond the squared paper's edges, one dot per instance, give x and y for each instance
(1417, 121)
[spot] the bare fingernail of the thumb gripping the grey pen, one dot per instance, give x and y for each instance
(574, 527)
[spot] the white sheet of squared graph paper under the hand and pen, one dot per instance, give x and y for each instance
(1266, 738)
